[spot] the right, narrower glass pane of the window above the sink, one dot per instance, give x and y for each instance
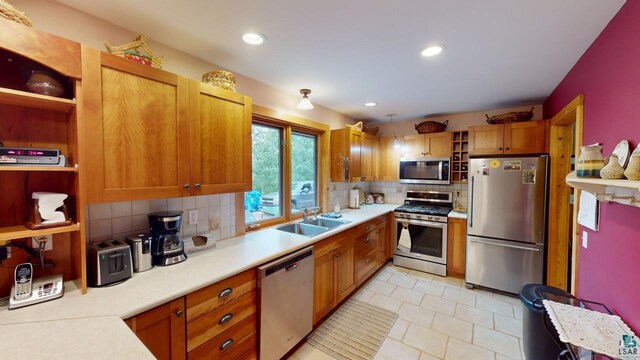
(303, 171)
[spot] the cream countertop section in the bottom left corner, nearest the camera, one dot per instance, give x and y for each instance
(106, 337)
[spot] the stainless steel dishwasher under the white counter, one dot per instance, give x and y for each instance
(286, 303)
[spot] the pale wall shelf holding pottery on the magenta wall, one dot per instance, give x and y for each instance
(621, 191)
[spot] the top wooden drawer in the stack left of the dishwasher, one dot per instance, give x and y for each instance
(214, 296)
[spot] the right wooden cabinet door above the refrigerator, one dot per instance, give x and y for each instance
(524, 137)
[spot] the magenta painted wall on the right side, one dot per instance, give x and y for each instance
(608, 75)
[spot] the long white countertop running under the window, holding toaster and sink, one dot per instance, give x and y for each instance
(149, 289)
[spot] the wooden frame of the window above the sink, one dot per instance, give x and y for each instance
(289, 124)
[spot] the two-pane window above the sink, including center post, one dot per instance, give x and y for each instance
(284, 170)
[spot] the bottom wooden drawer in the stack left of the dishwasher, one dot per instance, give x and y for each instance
(234, 343)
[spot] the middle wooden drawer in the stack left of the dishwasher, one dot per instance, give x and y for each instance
(215, 322)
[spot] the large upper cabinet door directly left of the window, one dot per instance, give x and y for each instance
(220, 140)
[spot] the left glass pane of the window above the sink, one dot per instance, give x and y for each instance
(264, 201)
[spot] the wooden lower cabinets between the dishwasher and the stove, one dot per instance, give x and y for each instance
(345, 261)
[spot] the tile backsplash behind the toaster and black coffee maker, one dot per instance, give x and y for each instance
(216, 216)
